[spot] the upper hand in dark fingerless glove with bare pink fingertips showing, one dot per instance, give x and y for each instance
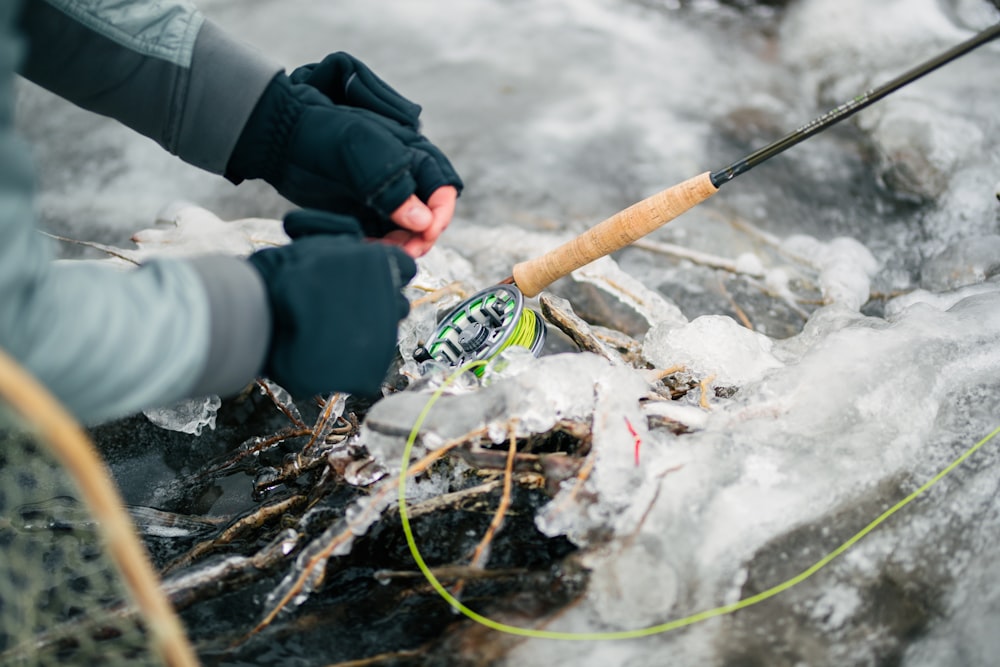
(334, 136)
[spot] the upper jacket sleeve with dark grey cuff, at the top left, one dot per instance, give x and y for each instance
(158, 67)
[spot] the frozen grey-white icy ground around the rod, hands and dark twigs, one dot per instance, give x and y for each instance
(558, 114)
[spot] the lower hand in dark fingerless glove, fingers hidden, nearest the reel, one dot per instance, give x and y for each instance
(336, 303)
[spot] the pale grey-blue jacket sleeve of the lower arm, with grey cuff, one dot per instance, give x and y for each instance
(109, 342)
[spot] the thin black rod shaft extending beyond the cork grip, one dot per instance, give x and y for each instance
(849, 108)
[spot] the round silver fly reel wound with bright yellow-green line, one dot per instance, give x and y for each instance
(482, 326)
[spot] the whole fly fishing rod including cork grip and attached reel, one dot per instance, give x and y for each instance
(496, 318)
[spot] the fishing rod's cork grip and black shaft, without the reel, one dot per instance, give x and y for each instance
(638, 220)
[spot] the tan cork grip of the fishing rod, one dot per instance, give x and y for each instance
(621, 229)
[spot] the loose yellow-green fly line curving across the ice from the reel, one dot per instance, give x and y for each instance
(653, 629)
